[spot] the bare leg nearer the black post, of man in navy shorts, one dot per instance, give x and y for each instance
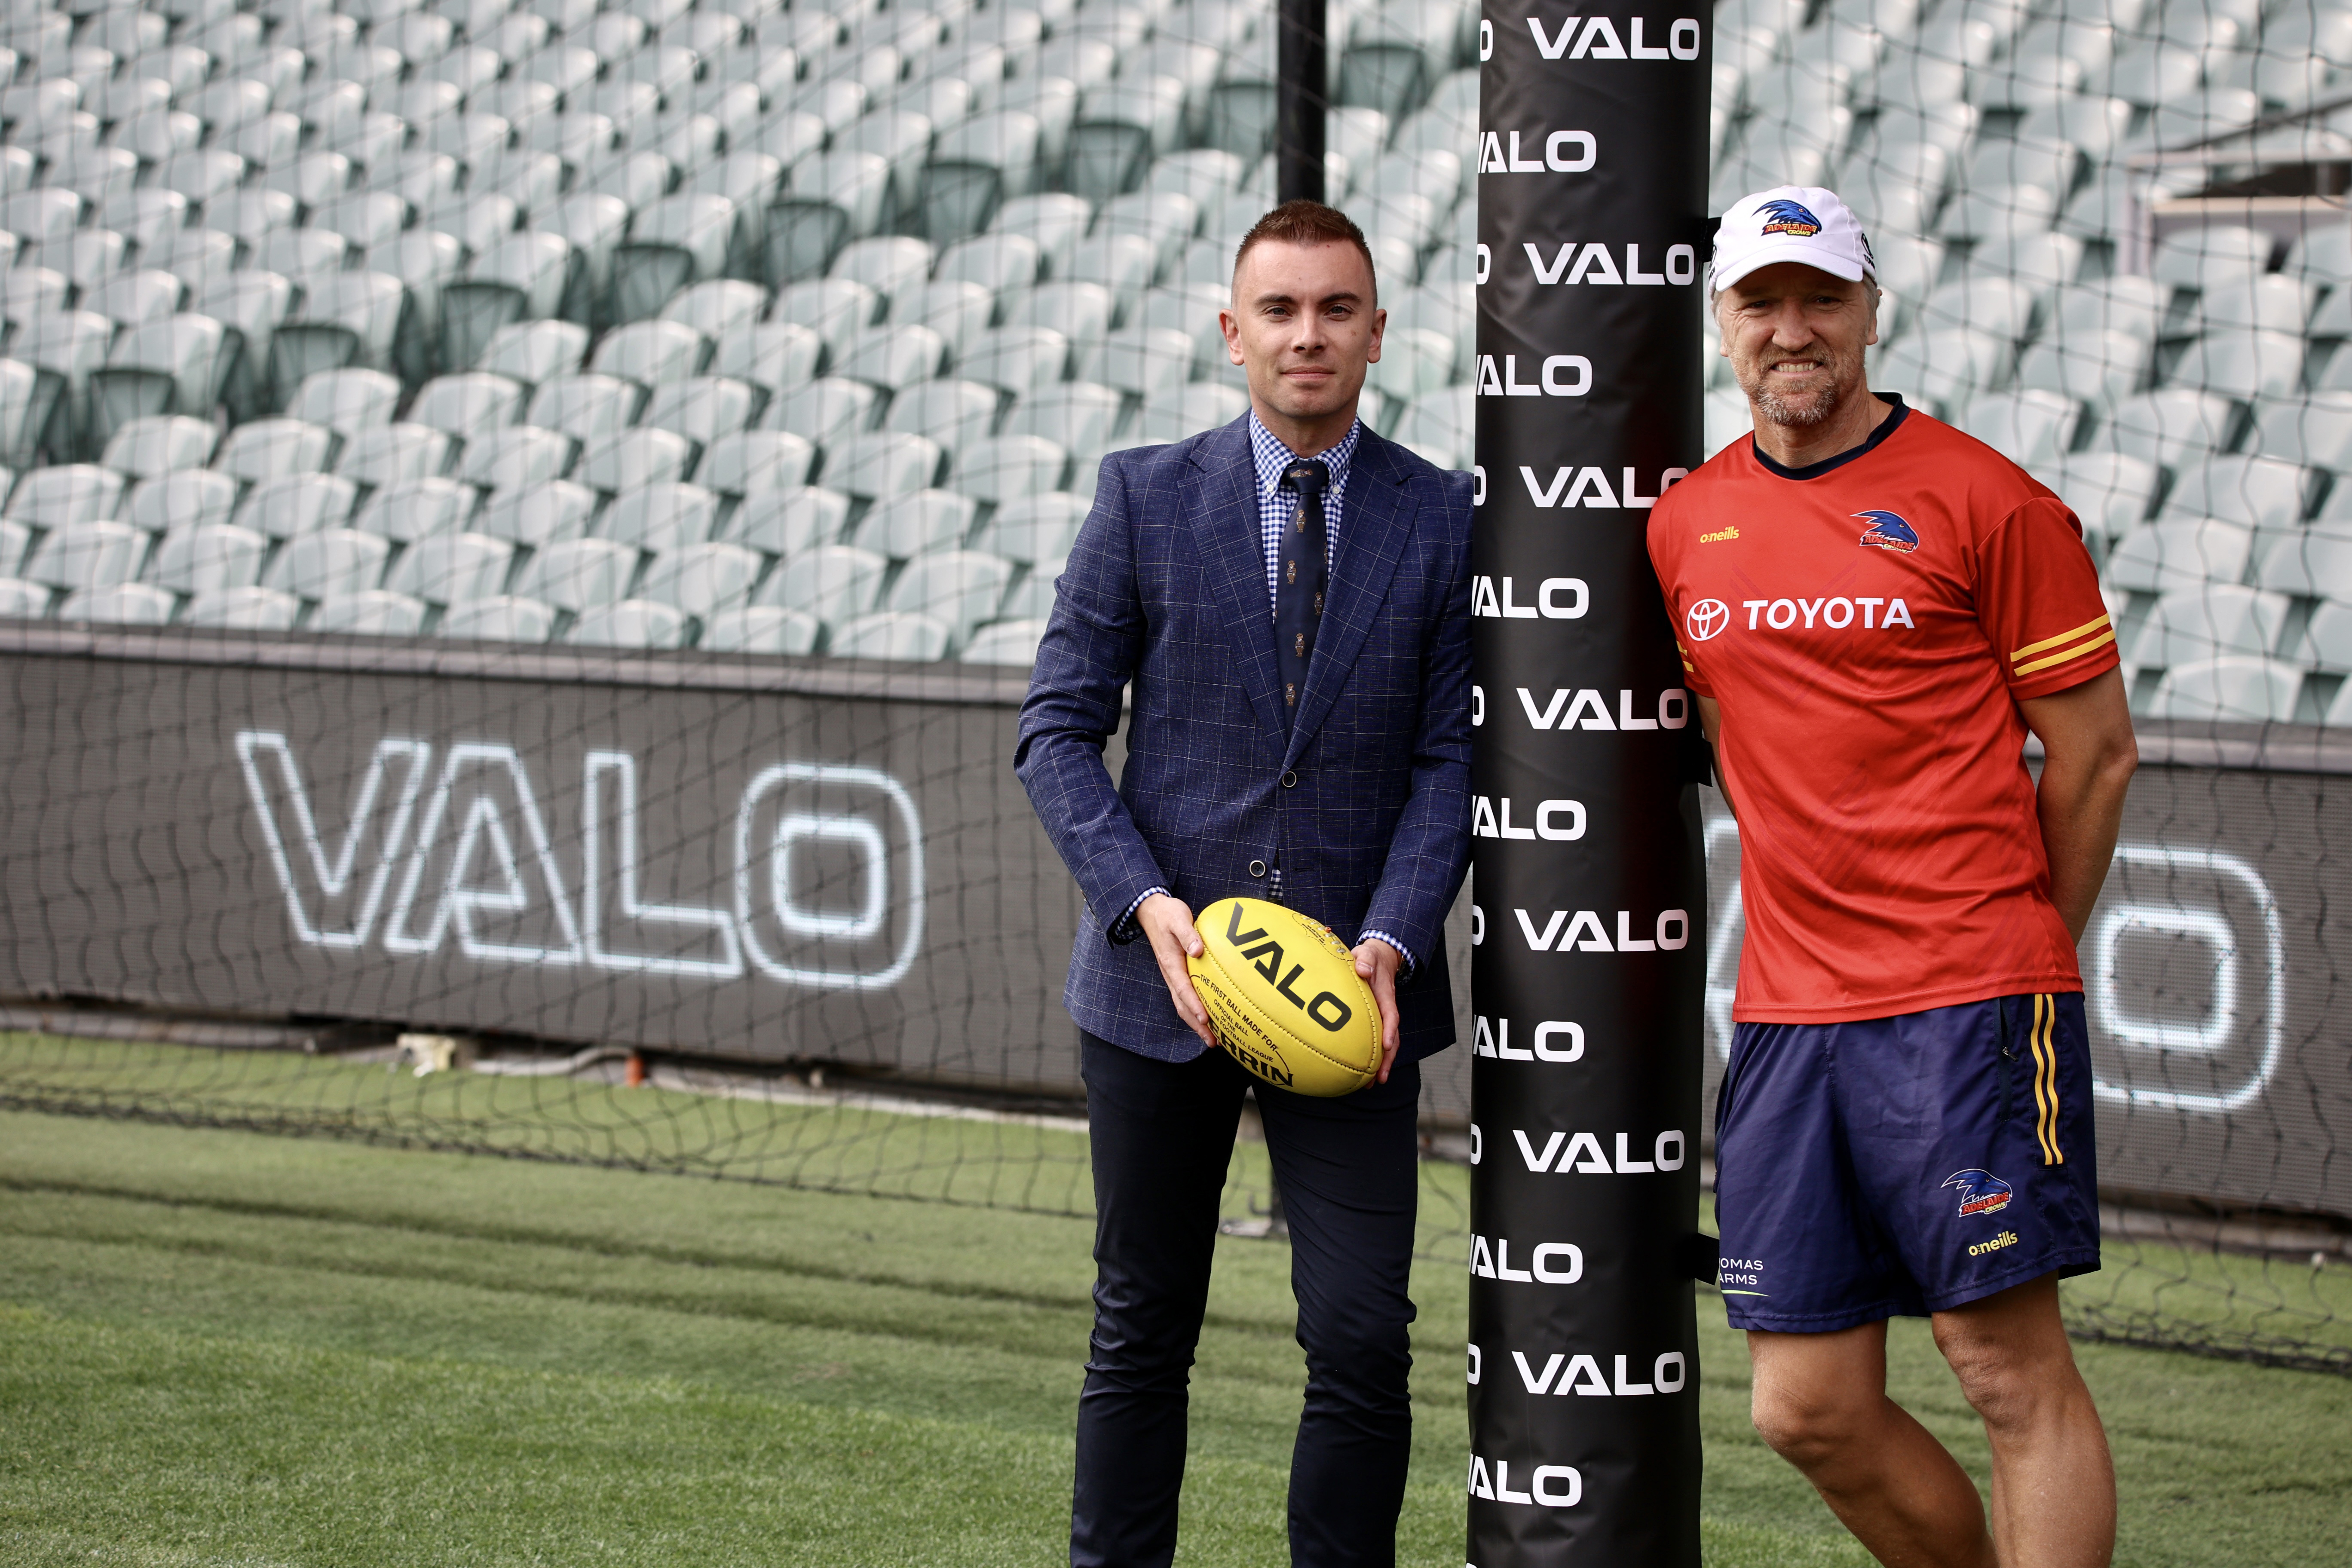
(1822, 1405)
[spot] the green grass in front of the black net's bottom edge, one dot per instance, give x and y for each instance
(234, 1348)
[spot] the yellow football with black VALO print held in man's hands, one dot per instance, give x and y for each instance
(1285, 998)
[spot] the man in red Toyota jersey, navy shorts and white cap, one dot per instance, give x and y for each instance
(1873, 612)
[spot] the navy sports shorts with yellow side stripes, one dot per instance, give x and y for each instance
(1899, 1167)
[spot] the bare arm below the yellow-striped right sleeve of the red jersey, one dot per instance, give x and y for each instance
(2087, 763)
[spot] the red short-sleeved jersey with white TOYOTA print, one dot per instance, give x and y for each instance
(1869, 626)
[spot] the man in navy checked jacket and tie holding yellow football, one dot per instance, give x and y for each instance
(1288, 603)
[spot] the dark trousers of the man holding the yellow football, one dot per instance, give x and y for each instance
(1163, 1141)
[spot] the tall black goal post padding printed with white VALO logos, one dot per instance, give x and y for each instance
(1589, 871)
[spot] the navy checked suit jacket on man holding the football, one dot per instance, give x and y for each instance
(1165, 591)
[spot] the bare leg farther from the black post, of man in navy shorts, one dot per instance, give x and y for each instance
(2052, 1477)
